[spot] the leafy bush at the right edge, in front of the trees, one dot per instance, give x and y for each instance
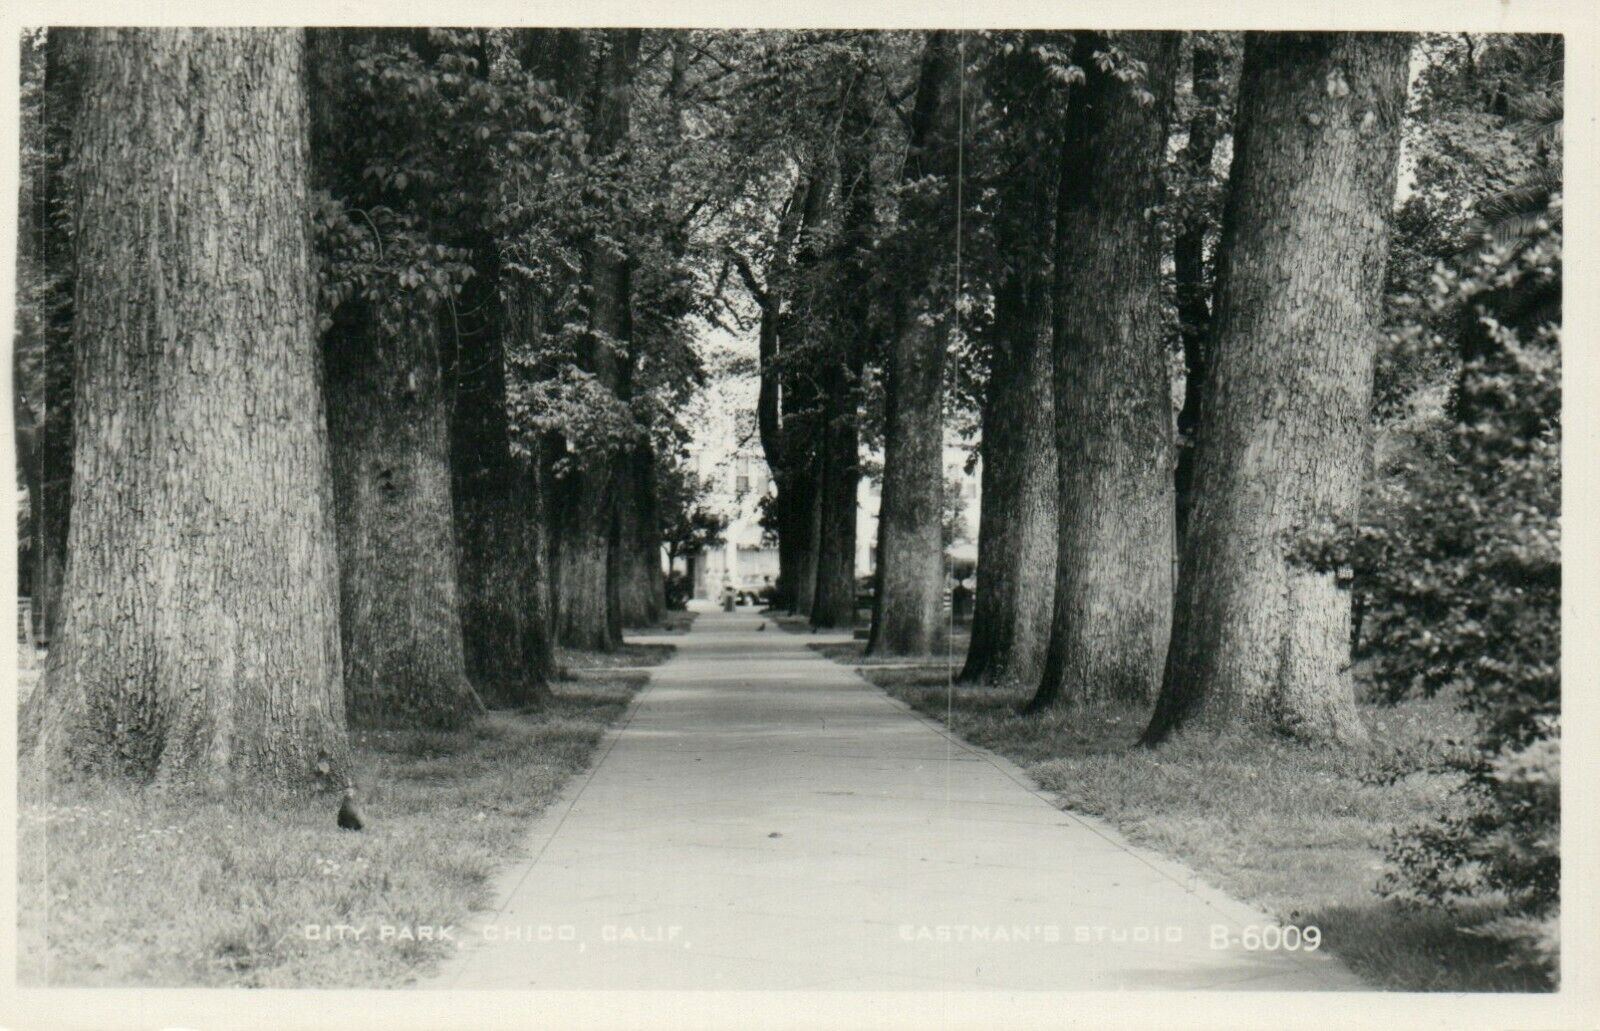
(1460, 566)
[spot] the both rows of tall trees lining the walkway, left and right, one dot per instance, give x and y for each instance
(407, 318)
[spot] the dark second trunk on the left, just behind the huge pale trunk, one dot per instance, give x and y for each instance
(390, 433)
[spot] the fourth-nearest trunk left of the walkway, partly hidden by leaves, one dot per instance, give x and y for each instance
(586, 521)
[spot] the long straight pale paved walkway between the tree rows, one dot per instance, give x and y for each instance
(766, 819)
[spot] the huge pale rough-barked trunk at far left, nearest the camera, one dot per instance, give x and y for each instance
(199, 640)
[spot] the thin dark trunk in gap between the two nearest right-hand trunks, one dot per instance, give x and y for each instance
(1194, 303)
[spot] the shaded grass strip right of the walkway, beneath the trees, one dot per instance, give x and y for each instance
(1290, 828)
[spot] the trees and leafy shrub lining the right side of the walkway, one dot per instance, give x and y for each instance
(1260, 337)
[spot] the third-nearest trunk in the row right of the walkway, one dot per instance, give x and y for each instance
(1017, 528)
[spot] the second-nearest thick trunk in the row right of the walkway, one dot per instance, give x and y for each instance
(1114, 420)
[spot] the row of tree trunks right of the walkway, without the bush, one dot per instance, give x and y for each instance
(983, 222)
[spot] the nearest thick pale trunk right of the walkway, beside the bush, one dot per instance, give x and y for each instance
(1260, 641)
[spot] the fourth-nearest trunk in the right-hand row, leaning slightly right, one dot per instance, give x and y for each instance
(910, 604)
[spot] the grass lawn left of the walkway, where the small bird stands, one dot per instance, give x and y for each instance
(121, 886)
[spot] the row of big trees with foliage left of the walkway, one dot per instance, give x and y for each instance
(348, 380)
